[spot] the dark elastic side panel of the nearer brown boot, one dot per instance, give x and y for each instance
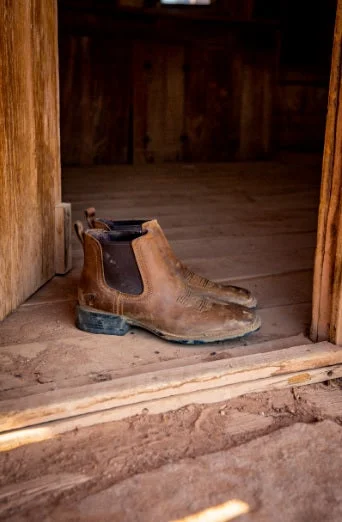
(120, 267)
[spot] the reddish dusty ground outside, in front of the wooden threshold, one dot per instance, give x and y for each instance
(280, 452)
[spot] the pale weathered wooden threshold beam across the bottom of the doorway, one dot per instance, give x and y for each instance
(45, 415)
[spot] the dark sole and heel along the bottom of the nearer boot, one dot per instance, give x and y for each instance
(97, 322)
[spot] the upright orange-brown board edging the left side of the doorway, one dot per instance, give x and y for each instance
(45, 79)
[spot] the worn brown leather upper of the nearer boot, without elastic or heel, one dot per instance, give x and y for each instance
(167, 303)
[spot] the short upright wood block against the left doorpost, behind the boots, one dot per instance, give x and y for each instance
(63, 251)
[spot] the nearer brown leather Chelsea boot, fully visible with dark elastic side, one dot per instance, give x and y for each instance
(131, 280)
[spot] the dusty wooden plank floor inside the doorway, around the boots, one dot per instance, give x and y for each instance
(253, 224)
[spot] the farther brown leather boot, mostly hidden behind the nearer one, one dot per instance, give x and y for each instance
(200, 285)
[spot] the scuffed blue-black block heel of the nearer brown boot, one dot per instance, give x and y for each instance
(94, 321)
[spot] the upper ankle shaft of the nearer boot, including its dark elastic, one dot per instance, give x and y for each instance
(123, 263)
